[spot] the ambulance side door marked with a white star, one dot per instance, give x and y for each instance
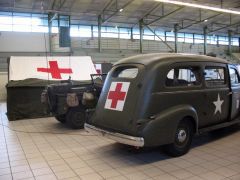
(217, 94)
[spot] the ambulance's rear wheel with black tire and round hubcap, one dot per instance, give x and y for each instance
(183, 139)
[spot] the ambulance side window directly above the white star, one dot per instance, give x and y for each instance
(214, 76)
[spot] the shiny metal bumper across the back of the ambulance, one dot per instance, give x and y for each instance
(121, 138)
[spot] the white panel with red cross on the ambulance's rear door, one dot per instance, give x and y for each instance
(117, 95)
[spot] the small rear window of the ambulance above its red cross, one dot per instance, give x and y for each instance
(126, 72)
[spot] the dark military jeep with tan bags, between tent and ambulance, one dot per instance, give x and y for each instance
(73, 102)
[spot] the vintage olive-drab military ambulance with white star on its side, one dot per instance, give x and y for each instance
(165, 99)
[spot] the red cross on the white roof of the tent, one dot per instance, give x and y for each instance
(54, 70)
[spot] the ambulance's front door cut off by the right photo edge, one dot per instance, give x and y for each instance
(235, 91)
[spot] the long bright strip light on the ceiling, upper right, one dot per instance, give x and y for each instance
(200, 6)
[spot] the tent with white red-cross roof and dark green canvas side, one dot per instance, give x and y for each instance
(28, 76)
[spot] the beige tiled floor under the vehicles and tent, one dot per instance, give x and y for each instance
(45, 149)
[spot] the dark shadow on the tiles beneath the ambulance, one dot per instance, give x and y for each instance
(151, 155)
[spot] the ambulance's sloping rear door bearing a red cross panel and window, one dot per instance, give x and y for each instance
(116, 106)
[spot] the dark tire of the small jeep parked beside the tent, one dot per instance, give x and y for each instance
(76, 117)
